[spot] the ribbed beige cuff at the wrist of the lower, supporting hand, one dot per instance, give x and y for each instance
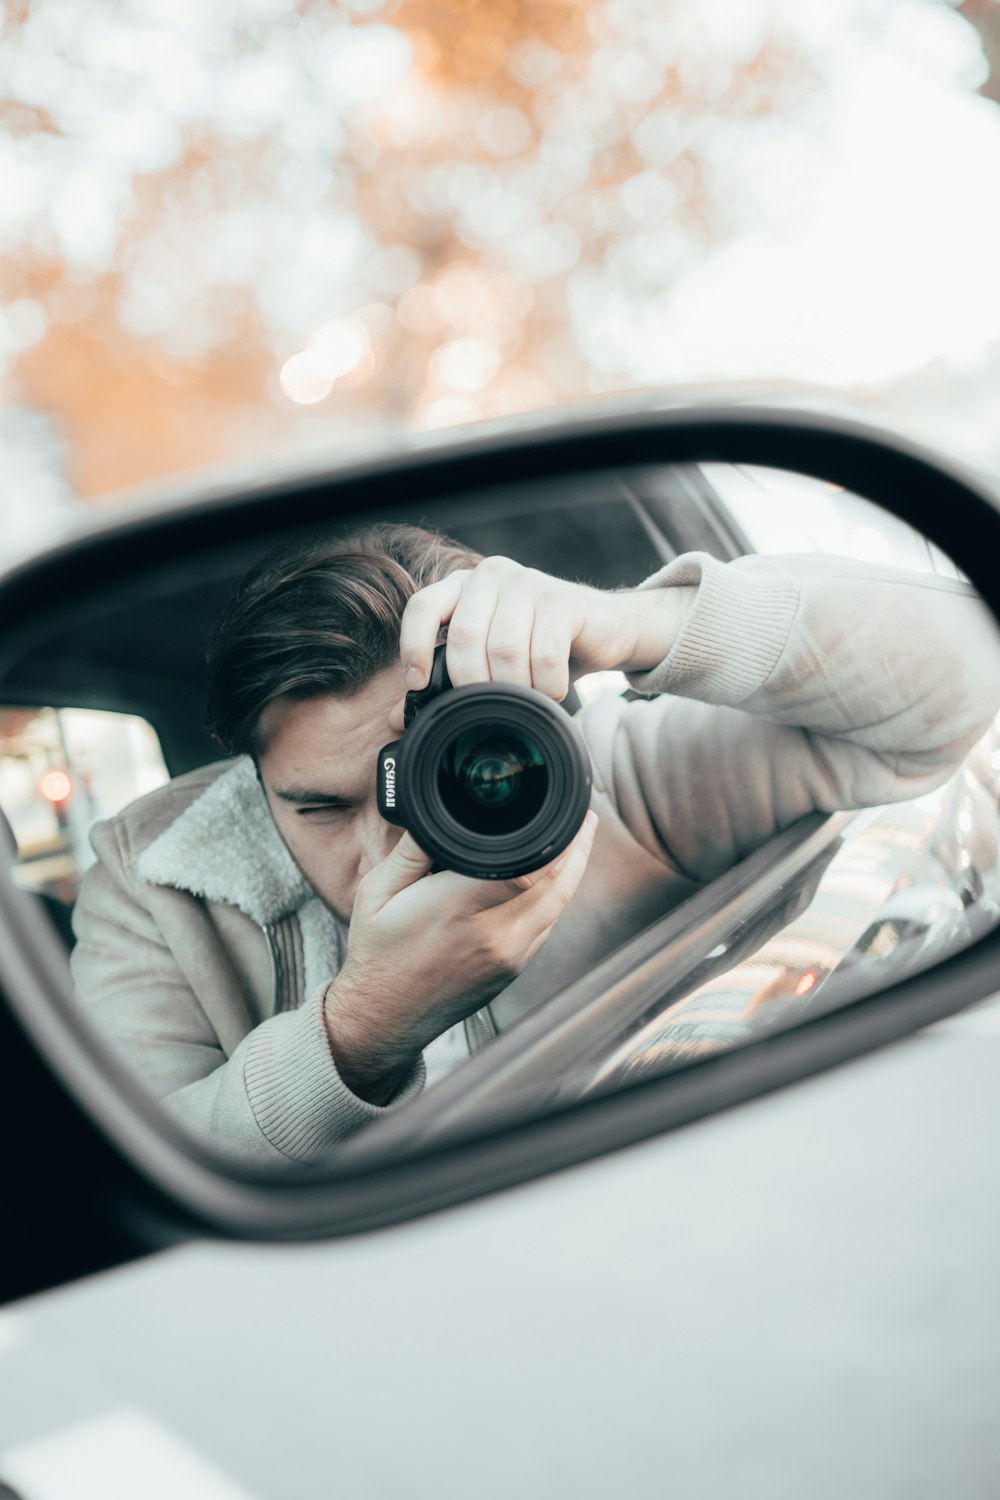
(296, 1093)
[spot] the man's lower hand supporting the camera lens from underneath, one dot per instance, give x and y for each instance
(428, 950)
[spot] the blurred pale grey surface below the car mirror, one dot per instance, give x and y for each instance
(795, 1300)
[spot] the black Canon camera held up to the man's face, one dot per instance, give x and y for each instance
(493, 781)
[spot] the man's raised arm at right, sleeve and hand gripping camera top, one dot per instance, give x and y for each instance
(791, 685)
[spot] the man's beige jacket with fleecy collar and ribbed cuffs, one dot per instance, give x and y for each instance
(797, 685)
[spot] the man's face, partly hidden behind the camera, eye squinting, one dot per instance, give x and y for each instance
(319, 773)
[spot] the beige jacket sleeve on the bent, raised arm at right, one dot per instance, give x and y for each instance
(797, 685)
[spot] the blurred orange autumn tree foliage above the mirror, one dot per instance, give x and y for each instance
(256, 227)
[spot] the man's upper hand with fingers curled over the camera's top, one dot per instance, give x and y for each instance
(515, 625)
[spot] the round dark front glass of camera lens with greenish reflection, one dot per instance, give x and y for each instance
(493, 781)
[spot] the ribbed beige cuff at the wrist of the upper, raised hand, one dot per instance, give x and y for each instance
(734, 632)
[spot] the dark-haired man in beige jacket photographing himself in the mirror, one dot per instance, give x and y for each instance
(281, 965)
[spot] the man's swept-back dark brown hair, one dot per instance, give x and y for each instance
(322, 617)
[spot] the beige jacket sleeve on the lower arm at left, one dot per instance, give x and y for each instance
(268, 1093)
